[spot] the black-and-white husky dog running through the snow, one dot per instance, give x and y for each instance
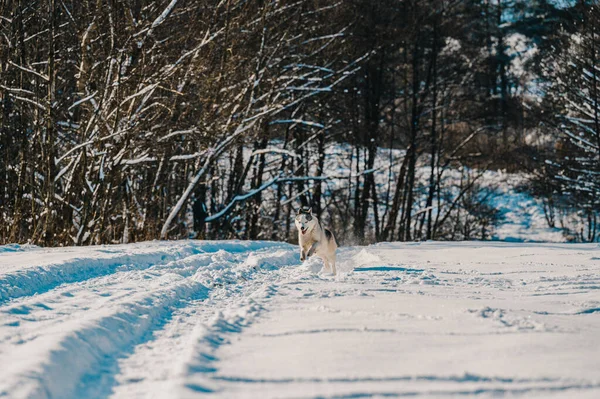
(314, 239)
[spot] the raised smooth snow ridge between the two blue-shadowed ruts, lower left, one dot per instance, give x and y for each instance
(53, 364)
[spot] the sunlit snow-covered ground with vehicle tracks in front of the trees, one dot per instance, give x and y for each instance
(245, 319)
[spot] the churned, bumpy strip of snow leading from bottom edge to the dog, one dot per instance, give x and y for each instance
(186, 360)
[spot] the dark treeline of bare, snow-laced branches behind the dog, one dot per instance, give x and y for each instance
(132, 120)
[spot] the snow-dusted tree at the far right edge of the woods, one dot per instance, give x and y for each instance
(569, 182)
